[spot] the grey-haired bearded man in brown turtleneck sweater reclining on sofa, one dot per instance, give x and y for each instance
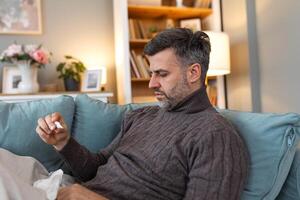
(181, 150)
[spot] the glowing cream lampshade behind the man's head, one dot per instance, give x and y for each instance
(219, 63)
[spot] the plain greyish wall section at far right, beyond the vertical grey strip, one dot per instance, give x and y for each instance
(278, 34)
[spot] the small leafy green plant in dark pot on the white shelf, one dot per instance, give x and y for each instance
(70, 72)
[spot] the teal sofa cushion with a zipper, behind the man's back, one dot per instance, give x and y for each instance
(271, 140)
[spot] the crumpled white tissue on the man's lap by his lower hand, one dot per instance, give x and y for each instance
(51, 184)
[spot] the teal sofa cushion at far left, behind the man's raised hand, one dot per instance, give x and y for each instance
(18, 124)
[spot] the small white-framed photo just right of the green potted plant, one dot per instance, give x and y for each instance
(91, 80)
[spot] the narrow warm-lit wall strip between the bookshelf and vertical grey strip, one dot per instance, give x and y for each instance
(238, 81)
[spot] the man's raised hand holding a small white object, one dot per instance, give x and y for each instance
(47, 130)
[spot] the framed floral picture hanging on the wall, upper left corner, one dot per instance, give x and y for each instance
(20, 17)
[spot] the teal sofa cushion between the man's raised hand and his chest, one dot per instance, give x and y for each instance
(96, 123)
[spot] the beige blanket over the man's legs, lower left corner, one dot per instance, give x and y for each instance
(18, 175)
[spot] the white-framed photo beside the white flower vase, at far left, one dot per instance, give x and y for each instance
(11, 79)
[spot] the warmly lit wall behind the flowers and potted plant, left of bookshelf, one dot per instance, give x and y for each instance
(80, 28)
